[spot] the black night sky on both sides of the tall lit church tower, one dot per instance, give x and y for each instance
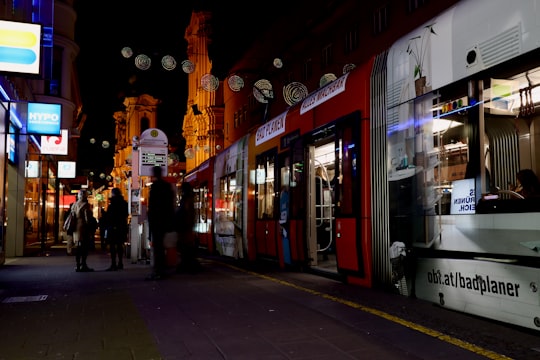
(155, 28)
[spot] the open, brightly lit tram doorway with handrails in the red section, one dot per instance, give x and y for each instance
(323, 174)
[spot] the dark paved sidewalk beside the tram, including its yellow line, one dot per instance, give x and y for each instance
(48, 311)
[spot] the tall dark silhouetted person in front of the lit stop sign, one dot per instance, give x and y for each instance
(161, 207)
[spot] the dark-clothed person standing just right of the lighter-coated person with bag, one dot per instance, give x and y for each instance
(117, 228)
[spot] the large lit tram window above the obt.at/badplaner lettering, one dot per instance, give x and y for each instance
(506, 146)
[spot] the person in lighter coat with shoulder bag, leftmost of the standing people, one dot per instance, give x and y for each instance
(82, 236)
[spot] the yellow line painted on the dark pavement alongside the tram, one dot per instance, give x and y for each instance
(424, 330)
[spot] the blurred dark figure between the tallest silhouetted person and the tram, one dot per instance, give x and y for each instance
(184, 222)
